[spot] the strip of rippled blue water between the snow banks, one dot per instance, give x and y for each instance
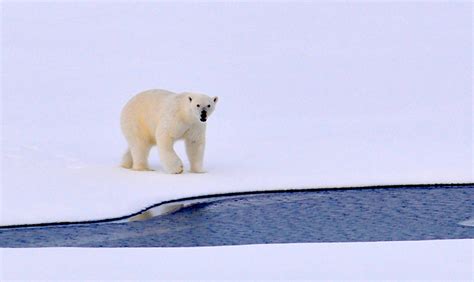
(288, 217)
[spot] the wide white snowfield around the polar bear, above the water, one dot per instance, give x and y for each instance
(312, 95)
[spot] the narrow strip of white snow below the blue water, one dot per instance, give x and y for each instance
(446, 260)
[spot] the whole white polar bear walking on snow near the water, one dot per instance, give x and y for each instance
(161, 117)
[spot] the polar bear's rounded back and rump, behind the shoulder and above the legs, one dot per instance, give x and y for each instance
(142, 114)
